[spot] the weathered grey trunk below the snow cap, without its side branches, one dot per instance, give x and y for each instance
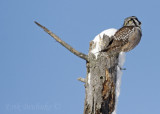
(100, 84)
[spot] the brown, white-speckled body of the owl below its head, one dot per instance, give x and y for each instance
(125, 39)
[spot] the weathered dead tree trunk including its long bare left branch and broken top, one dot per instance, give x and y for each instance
(100, 83)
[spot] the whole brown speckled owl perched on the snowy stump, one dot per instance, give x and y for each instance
(127, 37)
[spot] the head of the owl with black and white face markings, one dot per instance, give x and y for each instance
(132, 21)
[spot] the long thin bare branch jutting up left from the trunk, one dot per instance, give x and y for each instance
(79, 54)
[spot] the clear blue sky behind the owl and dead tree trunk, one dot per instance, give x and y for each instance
(39, 76)
